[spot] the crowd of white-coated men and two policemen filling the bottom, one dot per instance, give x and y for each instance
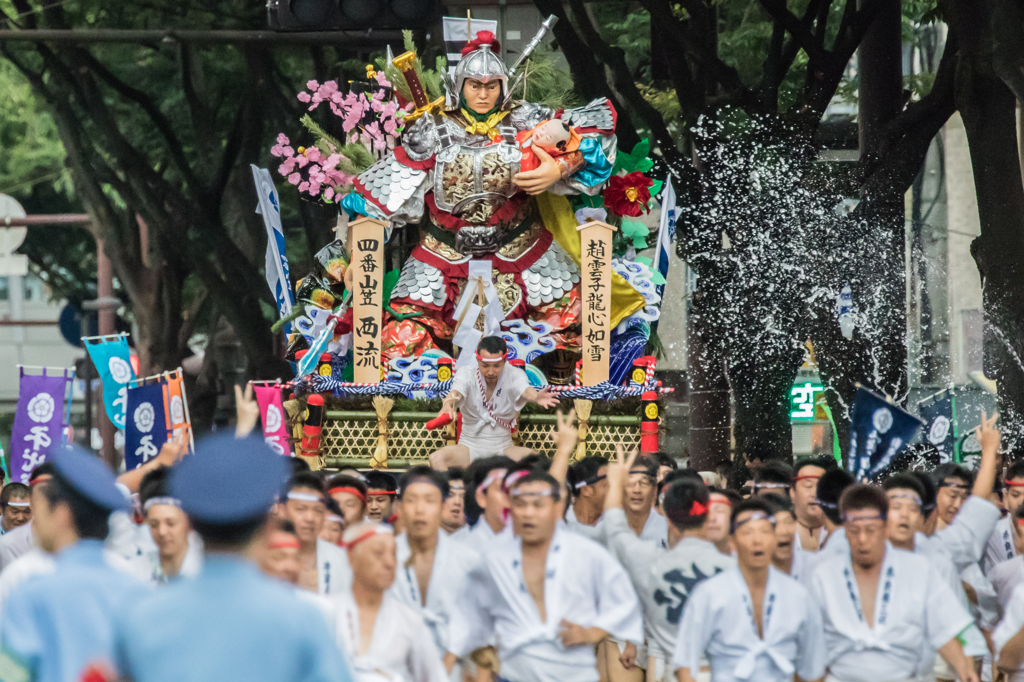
(235, 564)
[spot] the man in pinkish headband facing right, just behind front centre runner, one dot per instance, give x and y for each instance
(486, 502)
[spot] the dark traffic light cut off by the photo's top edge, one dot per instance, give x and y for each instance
(354, 15)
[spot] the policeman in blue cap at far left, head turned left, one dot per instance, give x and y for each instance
(56, 627)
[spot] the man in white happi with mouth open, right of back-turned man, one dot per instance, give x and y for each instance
(752, 622)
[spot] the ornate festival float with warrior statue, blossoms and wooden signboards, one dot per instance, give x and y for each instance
(438, 247)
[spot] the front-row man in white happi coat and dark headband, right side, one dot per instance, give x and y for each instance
(881, 606)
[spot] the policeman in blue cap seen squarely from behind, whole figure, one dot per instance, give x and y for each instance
(231, 622)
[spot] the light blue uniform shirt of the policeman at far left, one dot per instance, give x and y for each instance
(57, 625)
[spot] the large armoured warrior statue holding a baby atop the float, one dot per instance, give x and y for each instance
(463, 166)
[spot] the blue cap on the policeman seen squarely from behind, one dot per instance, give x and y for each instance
(229, 481)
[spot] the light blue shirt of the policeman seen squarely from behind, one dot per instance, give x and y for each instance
(230, 623)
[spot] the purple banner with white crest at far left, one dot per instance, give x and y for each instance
(38, 423)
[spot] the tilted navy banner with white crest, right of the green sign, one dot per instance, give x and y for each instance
(879, 432)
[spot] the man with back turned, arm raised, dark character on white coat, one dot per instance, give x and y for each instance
(664, 578)
